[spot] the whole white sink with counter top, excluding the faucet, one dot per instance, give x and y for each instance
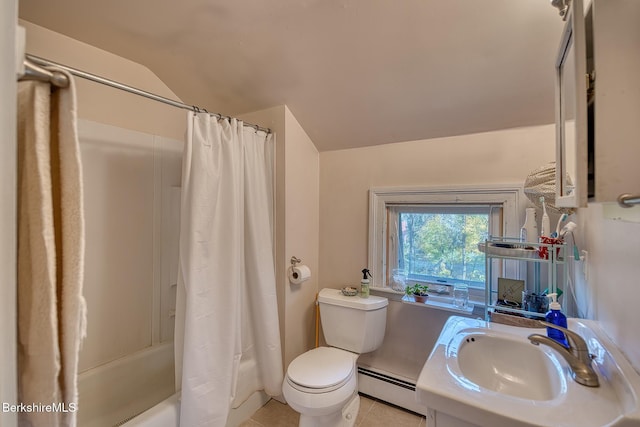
(489, 374)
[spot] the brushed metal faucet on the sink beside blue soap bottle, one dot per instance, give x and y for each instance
(577, 354)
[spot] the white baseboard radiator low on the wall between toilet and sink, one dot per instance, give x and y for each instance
(389, 388)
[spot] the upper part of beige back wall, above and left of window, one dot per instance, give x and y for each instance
(346, 175)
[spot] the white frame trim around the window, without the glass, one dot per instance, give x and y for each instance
(509, 196)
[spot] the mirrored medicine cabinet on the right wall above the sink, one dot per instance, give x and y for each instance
(598, 103)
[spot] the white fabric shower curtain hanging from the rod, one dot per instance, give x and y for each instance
(226, 303)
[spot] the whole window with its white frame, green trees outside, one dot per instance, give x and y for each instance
(433, 234)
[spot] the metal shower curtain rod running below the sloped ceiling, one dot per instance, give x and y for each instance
(34, 71)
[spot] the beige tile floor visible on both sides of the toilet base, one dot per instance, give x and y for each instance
(373, 413)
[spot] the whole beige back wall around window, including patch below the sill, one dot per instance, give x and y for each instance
(505, 156)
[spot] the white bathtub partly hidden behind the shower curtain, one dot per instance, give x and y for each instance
(126, 391)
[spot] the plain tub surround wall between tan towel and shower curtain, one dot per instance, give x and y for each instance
(127, 180)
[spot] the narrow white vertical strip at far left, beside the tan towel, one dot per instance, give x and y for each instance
(8, 19)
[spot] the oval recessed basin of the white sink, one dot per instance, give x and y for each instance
(507, 365)
